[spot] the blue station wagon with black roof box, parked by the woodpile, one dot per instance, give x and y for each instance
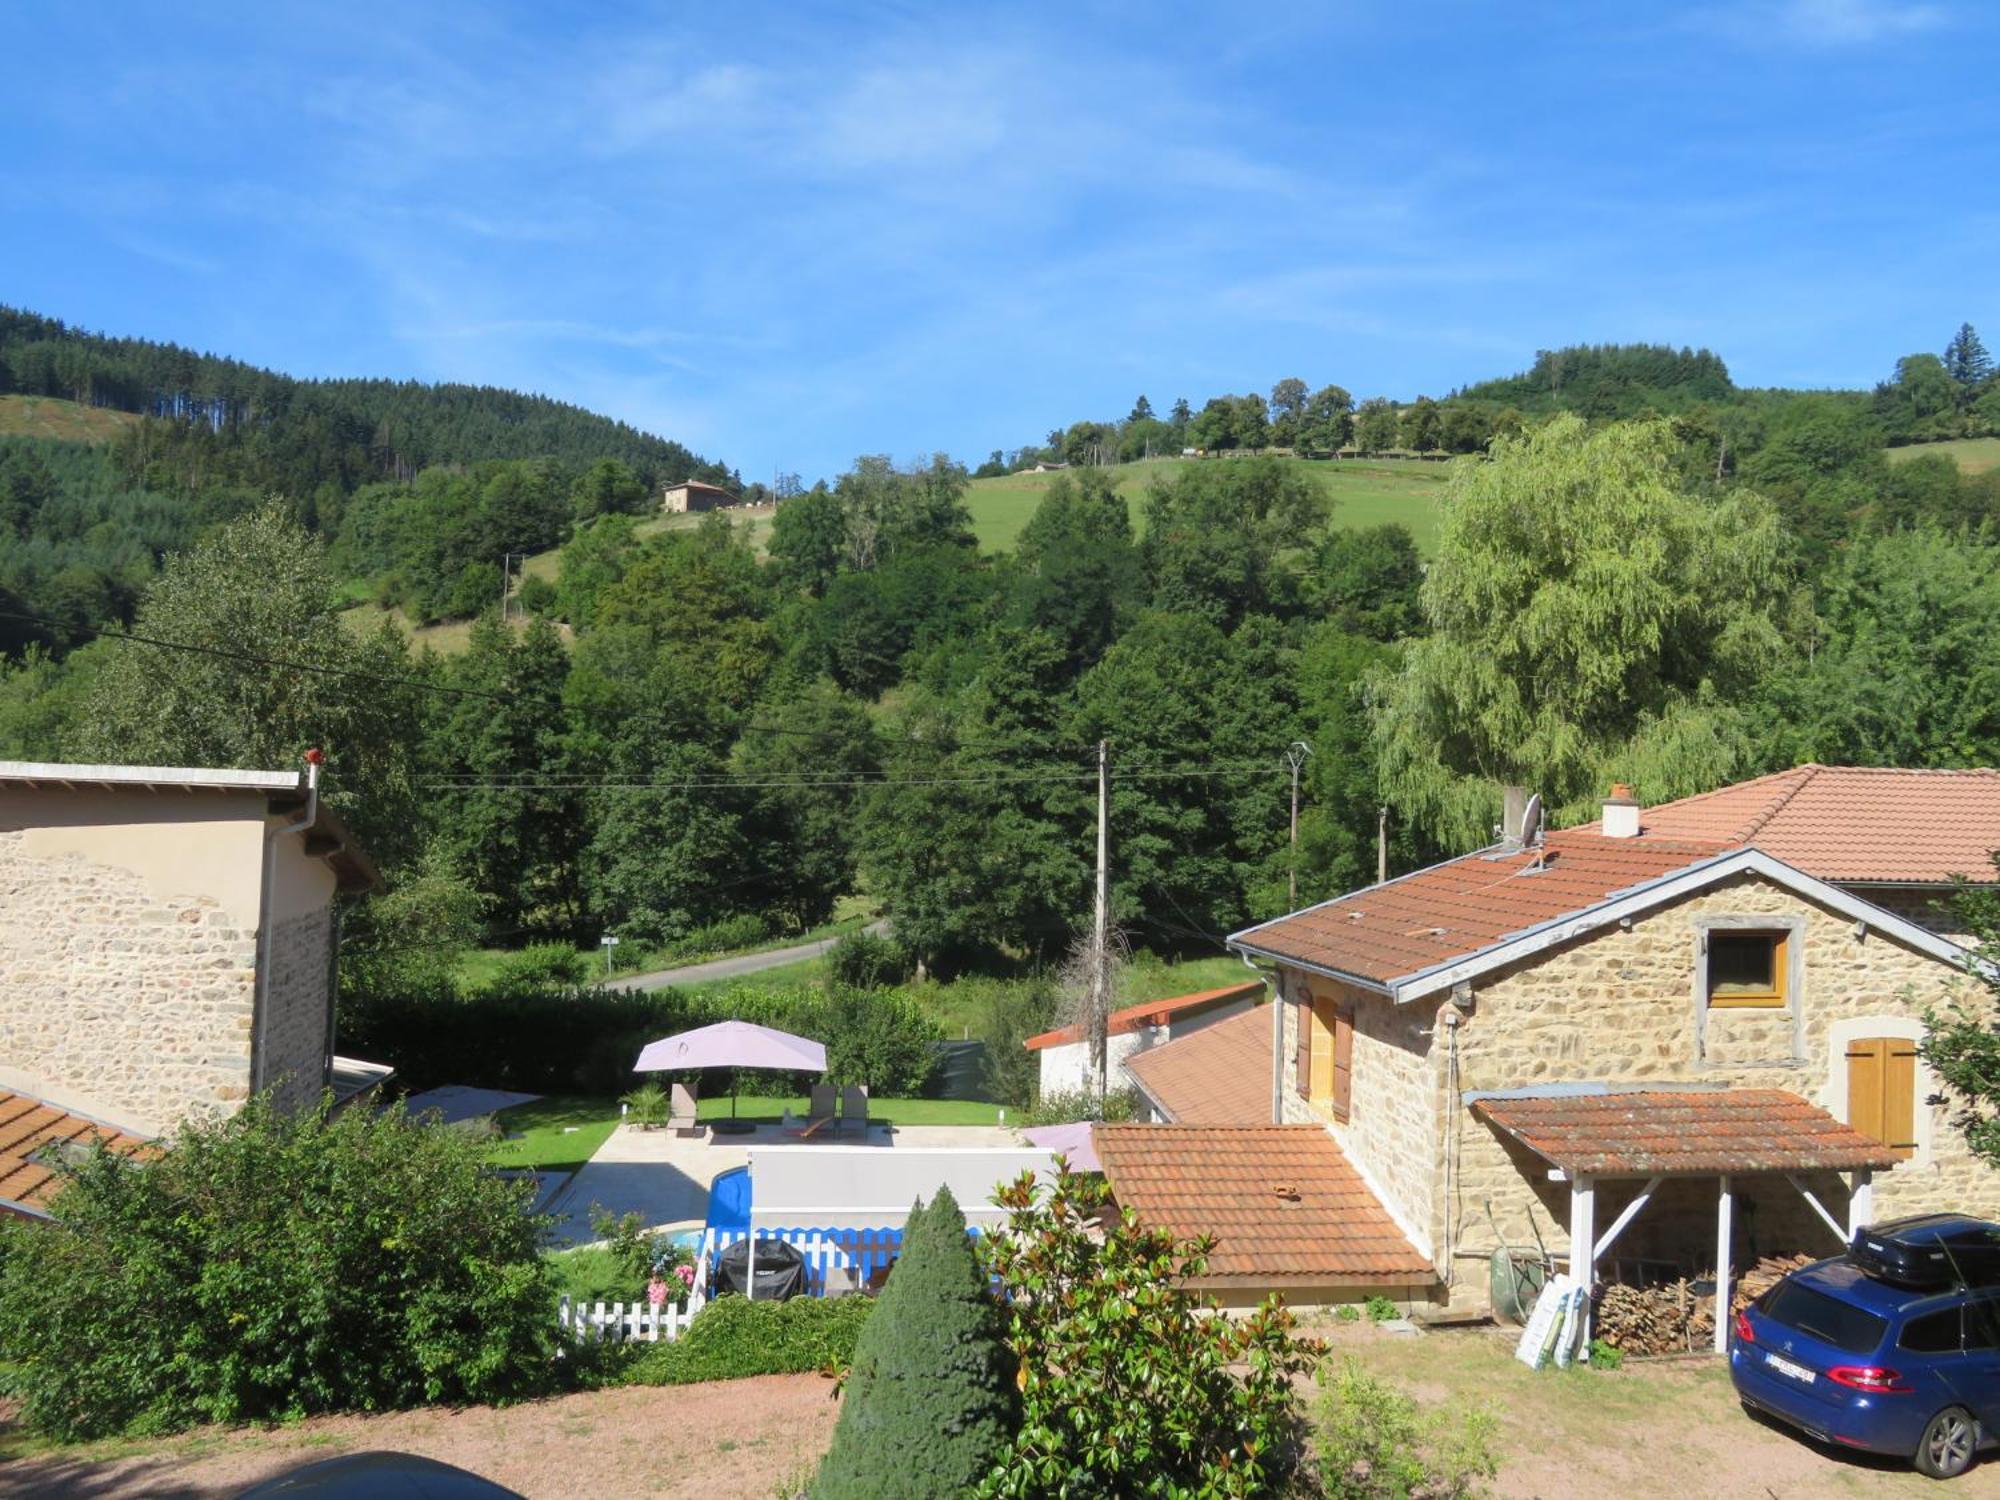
(1859, 1361)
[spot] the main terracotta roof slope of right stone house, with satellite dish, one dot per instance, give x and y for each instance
(1467, 905)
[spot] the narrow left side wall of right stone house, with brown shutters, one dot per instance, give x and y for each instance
(1391, 1135)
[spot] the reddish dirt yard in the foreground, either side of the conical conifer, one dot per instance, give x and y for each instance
(1657, 1429)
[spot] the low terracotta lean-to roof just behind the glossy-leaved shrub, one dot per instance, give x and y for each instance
(1283, 1203)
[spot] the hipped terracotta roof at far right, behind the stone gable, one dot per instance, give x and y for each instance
(1851, 823)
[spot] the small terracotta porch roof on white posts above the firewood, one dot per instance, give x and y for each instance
(1685, 1133)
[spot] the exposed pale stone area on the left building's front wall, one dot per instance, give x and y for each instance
(121, 997)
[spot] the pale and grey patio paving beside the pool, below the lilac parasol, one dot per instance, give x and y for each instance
(665, 1177)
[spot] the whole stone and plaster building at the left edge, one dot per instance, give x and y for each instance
(169, 951)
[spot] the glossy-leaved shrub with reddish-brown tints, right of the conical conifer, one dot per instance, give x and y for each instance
(1129, 1385)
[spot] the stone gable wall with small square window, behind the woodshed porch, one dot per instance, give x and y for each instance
(1621, 1007)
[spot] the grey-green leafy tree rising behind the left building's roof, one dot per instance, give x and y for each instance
(265, 675)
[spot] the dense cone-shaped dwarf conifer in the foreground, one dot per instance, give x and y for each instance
(931, 1401)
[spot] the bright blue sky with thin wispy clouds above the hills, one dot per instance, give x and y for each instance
(791, 235)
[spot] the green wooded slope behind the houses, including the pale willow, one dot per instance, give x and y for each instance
(679, 733)
